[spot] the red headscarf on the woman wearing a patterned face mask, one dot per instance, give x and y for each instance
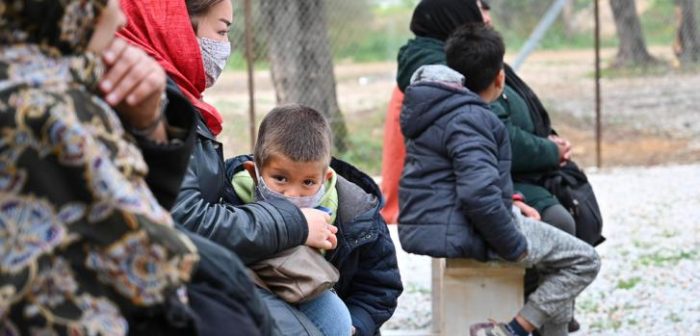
(163, 29)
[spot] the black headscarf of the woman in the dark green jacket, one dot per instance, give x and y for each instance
(439, 18)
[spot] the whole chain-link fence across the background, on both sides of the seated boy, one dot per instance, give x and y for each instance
(339, 56)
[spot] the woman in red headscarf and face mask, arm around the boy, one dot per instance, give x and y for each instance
(189, 38)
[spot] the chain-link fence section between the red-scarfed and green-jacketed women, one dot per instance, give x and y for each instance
(335, 55)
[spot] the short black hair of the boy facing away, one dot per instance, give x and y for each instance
(476, 51)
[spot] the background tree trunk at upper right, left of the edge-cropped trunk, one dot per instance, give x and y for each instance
(632, 50)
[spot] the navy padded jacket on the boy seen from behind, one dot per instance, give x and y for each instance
(455, 191)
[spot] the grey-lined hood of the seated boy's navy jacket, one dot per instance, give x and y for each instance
(435, 91)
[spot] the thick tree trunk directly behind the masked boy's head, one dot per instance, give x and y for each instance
(301, 60)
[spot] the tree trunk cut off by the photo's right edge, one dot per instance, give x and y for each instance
(687, 45)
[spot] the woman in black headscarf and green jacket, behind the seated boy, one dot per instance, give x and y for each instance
(535, 147)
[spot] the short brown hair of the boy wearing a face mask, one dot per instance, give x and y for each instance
(297, 132)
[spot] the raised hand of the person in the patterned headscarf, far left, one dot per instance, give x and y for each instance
(133, 84)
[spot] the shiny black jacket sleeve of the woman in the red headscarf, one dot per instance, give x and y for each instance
(254, 231)
